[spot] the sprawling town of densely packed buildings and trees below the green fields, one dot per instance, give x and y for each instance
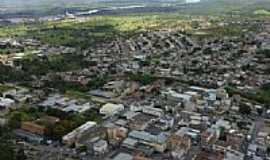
(168, 93)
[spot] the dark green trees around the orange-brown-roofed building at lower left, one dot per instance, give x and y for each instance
(67, 123)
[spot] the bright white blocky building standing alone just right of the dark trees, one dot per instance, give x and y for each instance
(111, 109)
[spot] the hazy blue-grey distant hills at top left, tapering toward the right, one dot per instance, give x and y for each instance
(40, 7)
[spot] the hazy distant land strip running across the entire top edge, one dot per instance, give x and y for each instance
(204, 7)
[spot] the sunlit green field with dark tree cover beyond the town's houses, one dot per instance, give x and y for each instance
(92, 31)
